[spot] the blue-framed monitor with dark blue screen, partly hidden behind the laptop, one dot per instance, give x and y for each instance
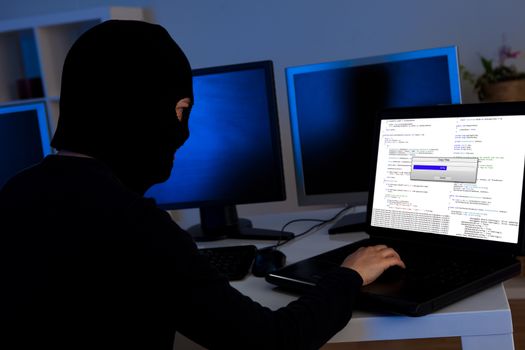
(333, 108)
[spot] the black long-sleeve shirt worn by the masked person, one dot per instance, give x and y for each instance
(88, 264)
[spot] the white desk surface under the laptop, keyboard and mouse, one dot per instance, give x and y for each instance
(483, 321)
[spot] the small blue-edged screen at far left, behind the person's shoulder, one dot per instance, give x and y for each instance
(24, 138)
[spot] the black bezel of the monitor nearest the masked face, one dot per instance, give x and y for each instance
(268, 69)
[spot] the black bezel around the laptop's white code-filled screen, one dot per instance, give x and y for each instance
(442, 111)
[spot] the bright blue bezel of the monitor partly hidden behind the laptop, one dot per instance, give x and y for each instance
(354, 198)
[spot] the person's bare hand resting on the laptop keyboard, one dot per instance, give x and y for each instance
(371, 262)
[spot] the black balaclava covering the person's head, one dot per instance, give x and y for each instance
(120, 84)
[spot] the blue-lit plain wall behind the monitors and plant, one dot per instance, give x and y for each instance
(294, 32)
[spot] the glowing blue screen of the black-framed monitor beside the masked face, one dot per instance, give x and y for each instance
(233, 153)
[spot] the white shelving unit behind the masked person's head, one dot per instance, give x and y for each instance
(33, 49)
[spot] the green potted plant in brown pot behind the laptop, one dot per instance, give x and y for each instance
(498, 83)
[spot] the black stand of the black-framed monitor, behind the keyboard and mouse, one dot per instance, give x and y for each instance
(220, 222)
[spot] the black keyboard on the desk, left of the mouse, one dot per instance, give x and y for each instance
(233, 262)
